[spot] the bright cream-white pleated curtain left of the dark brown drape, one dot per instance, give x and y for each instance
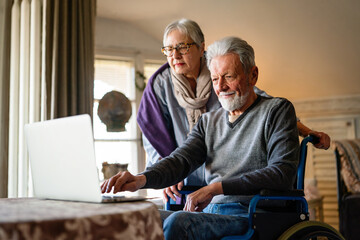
(24, 100)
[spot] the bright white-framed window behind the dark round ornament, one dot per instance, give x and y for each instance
(114, 147)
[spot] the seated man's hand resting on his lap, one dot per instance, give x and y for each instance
(198, 200)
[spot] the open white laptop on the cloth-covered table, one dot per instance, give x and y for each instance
(62, 161)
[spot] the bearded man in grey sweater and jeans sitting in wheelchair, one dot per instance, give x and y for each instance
(249, 144)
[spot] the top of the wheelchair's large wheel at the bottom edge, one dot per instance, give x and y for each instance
(311, 230)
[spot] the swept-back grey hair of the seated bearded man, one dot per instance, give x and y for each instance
(232, 45)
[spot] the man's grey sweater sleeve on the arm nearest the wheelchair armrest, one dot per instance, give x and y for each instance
(281, 136)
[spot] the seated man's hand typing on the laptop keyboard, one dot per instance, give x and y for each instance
(123, 181)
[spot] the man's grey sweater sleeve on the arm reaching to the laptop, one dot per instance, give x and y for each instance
(180, 163)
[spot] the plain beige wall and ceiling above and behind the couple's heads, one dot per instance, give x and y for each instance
(307, 42)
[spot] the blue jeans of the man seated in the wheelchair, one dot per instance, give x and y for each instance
(216, 221)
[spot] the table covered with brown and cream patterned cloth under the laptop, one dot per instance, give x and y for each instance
(32, 218)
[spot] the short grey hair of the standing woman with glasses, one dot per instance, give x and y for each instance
(187, 27)
